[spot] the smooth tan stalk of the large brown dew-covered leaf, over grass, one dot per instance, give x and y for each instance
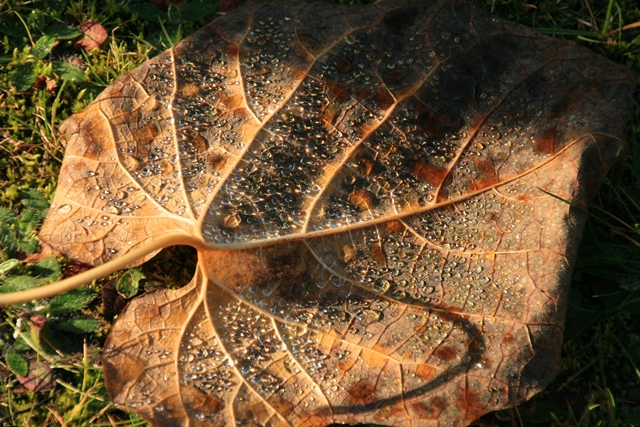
(97, 272)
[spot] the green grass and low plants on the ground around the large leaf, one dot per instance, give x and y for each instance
(600, 380)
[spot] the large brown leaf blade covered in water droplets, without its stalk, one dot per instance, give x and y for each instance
(377, 190)
